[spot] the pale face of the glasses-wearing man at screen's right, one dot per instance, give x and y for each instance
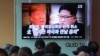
(66, 18)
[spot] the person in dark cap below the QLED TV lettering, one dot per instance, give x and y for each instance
(82, 51)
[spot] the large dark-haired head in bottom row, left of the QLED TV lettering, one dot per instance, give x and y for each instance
(53, 48)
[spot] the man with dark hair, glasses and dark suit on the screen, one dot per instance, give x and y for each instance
(68, 20)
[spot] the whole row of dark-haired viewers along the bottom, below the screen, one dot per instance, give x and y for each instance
(51, 49)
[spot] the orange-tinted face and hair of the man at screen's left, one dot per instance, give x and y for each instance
(38, 16)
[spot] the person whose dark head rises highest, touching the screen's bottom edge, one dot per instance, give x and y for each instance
(40, 45)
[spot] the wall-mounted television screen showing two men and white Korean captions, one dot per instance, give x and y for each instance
(53, 20)
